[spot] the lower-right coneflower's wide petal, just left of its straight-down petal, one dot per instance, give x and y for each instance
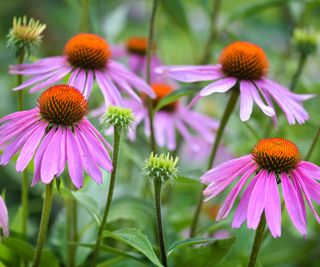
(257, 200)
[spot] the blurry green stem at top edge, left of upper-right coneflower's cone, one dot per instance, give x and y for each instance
(206, 57)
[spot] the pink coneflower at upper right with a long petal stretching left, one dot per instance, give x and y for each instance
(243, 65)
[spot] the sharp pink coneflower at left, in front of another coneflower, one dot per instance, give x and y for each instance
(54, 133)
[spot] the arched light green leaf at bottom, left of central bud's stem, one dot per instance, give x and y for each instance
(137, 240)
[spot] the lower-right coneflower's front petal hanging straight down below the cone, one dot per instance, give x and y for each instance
(273, 206)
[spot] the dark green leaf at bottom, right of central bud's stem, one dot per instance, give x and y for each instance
(208, 254)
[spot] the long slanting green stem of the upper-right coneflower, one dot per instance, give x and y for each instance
(226, 115)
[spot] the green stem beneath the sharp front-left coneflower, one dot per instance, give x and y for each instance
(46, 209)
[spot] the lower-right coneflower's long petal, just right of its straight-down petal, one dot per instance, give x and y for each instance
(291, 200)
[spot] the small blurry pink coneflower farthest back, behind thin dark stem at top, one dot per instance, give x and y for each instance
(135, 50)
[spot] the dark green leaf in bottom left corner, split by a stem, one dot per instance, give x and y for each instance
(26, 251)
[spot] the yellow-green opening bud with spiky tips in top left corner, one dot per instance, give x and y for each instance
(25, 35)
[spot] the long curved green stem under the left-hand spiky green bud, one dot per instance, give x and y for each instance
(116, 148)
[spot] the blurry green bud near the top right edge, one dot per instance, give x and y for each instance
(306, 40)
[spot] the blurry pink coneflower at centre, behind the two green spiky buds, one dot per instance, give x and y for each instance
(171, 118)
